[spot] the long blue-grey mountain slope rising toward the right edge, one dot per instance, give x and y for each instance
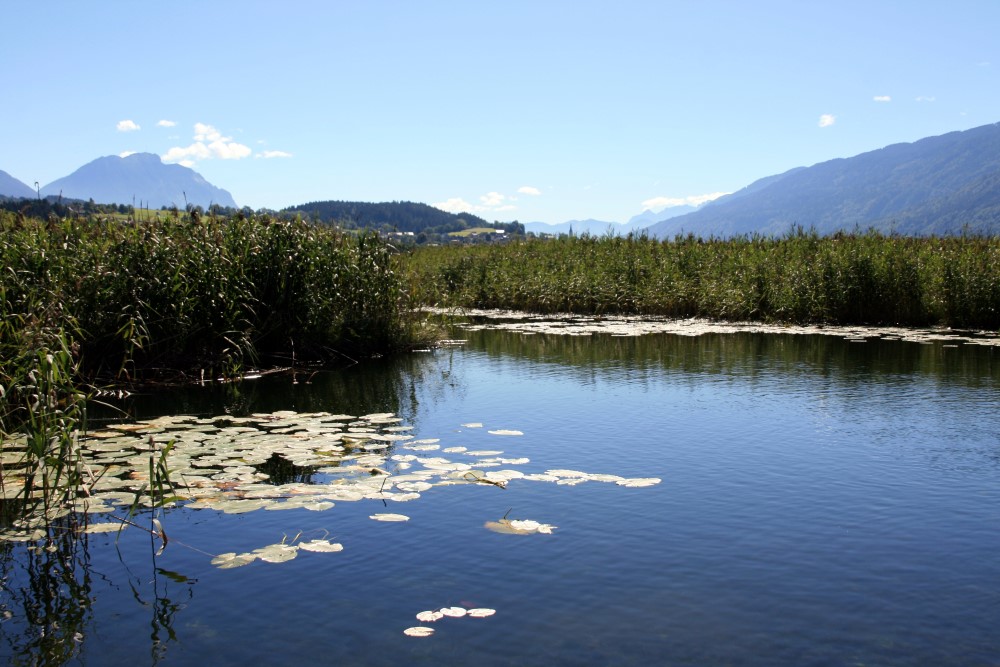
(939, 185)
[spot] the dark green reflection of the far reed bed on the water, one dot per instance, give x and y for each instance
(747, 356)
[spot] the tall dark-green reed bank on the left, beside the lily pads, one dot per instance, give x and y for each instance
(88, 302)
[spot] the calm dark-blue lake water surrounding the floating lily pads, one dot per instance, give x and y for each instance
(823, 502)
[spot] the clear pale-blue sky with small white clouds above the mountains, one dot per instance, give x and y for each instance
(535, 111)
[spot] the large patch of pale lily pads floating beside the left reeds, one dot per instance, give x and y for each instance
(218, 463)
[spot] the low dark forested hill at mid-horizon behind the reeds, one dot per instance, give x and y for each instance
(394, 216)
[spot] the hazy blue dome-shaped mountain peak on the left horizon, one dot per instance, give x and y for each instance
(139, 177)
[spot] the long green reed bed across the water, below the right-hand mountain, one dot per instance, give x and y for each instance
(859, 278)
